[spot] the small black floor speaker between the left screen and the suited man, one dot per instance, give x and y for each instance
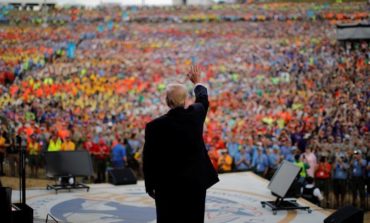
(121, 176)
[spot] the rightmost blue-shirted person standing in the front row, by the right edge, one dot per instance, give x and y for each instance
(358, 170)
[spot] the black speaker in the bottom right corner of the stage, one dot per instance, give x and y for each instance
(347, 214)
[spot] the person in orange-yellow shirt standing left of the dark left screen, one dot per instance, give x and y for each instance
(33, 149)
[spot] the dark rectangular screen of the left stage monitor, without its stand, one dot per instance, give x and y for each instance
(66, 163)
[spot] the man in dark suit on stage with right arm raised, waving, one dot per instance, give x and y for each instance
(177, 168)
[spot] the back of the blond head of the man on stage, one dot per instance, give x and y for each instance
(176, 95)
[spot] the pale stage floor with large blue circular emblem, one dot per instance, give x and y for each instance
(235, 199)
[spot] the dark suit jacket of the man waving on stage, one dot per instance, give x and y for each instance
(174, 154)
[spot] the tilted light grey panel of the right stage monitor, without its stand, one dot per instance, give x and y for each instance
(283, 178)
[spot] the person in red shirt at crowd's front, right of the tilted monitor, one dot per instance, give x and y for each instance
(322, 176)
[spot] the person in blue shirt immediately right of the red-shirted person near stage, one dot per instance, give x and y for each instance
(340, 176)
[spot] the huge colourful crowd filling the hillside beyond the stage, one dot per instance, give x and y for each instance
(281, 88)
